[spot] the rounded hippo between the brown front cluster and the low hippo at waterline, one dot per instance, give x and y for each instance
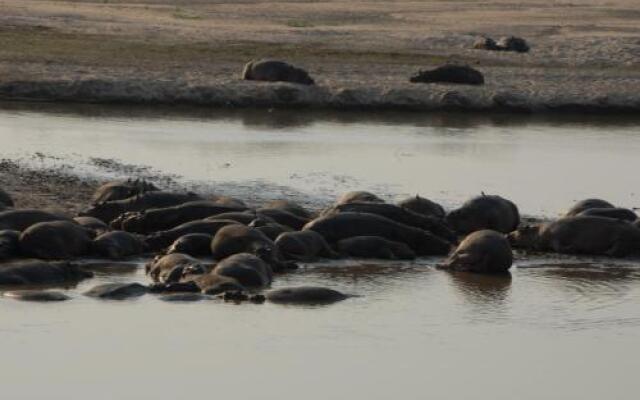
(303, 246)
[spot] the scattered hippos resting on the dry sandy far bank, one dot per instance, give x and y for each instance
(280, 71)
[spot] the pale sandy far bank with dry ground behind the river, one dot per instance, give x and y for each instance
(584, 53)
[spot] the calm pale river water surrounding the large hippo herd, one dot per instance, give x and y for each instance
(558, 328)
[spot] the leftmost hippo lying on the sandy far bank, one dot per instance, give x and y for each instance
(275, 71)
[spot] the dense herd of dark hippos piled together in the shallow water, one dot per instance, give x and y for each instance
(218, 246)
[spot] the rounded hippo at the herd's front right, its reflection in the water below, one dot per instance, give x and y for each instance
(484, 251)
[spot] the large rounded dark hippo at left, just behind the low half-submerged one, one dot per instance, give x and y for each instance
(55, 240)
